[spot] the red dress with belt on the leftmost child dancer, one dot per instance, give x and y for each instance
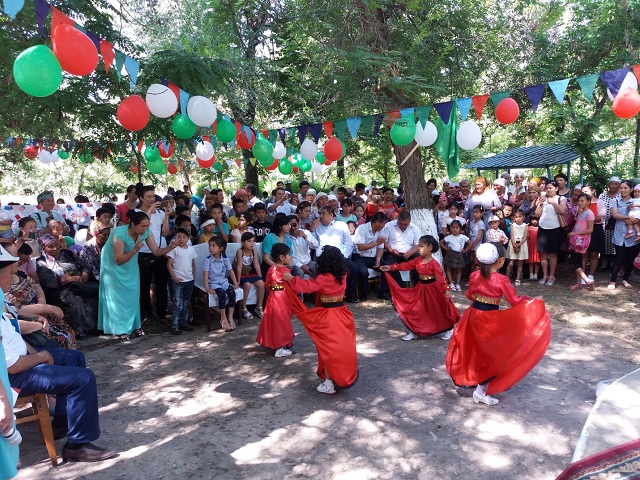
(276, 330)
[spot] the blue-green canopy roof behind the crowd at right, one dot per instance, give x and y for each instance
(537, 156)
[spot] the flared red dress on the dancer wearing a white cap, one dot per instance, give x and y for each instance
(500, 346)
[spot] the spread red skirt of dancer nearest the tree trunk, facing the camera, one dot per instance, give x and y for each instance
(424, 309)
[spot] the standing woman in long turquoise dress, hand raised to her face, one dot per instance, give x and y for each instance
(119, 306)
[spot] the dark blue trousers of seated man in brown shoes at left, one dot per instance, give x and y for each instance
(75, 388)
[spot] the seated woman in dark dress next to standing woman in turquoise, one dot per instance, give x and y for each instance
(65, 281)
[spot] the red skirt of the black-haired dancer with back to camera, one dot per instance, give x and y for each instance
(334, 334)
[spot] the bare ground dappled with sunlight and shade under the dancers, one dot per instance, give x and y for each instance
(215, 405)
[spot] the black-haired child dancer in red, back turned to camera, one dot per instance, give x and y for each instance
(330, 324)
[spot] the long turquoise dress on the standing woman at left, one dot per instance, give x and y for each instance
(119, 306)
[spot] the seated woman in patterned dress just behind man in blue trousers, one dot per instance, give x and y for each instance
(29, 299)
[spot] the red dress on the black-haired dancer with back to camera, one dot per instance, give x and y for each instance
(331, 329)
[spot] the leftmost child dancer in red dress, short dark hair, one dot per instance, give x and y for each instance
(276, 331)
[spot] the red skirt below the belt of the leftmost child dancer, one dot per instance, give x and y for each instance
(276, 330)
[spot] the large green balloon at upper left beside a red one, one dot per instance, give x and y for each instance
(37, 71)
